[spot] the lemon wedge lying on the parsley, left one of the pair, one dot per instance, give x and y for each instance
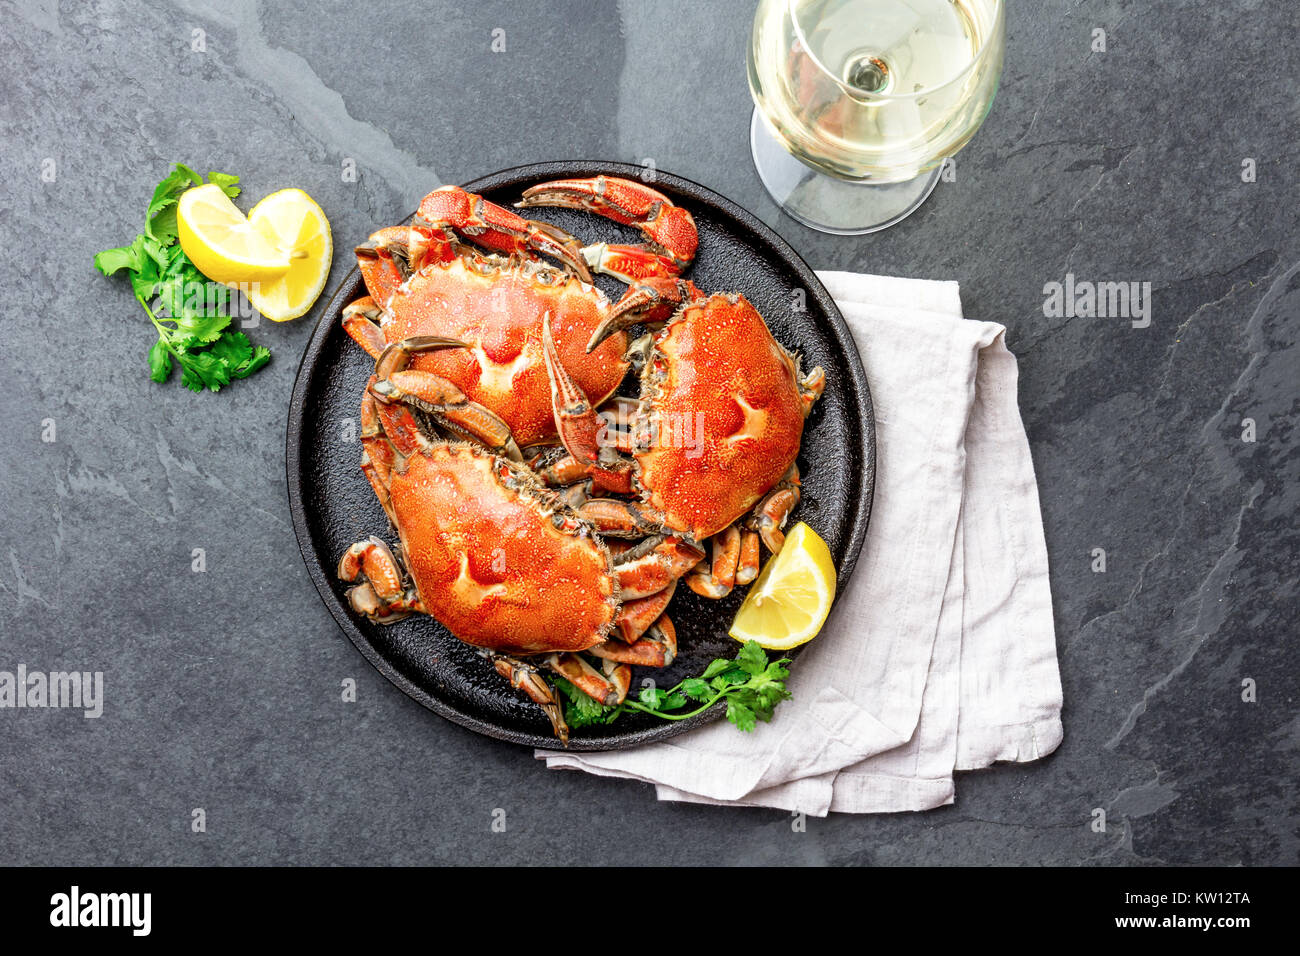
(222, 243)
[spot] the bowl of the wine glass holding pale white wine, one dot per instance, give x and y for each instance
(876, 90)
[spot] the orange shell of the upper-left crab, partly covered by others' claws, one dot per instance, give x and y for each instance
(497, 306)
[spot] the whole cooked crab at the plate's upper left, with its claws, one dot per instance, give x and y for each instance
(424, 280)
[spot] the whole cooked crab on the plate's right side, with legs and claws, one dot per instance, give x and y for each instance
(714, 436)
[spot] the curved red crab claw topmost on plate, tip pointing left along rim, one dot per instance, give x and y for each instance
(670, 230)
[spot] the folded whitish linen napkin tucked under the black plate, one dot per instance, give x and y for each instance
(941, 655)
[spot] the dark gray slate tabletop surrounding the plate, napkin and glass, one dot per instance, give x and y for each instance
(224, 687)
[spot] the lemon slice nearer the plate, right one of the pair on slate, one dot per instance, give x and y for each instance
(293, 223)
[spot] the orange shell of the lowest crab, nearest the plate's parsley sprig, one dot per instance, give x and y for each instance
(495, 560)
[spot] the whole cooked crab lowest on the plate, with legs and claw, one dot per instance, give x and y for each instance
(497, 556)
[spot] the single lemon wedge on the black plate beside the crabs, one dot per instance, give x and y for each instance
(790, 602)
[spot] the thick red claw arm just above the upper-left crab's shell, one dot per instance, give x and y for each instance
(450, 213)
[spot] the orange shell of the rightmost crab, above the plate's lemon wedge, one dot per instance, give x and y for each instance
(721, 417)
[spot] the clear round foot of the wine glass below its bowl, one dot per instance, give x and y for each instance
(830, 205)
